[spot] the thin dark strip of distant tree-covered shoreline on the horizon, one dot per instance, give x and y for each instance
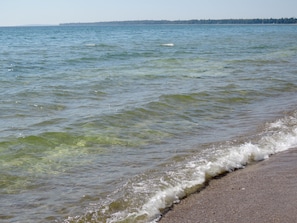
(191, 22)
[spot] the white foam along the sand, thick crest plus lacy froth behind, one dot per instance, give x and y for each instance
(155, 195)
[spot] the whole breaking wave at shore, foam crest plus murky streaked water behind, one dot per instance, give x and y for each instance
(145, 197)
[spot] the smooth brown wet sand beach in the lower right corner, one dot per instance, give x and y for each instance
(262, 192)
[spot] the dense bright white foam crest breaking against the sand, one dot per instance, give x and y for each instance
(228, 159)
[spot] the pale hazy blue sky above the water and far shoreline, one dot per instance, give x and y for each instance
(25, 12)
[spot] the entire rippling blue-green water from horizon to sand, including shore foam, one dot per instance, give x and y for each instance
(117, 123)
